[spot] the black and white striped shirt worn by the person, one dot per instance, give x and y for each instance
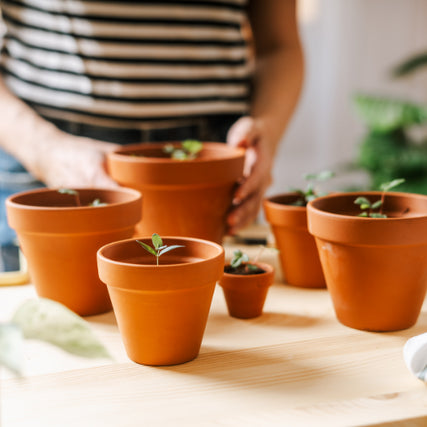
(126, 63)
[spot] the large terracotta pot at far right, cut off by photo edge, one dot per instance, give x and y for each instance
(375, 268)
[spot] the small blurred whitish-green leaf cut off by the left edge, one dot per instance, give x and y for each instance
(11, 347)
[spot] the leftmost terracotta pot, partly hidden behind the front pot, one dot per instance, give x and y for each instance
(60, 241)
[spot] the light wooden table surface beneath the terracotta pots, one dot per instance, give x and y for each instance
(293, 366)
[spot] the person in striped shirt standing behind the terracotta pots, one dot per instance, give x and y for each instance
(80, 77)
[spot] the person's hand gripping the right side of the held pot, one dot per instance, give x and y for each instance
(253, 135)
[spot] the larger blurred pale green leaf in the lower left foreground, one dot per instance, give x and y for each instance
(46, 320)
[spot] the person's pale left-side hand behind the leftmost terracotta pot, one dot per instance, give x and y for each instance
(65, 160)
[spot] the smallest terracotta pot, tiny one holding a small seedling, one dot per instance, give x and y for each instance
(245, 294)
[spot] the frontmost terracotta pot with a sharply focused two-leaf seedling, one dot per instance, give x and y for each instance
(161, 310)
